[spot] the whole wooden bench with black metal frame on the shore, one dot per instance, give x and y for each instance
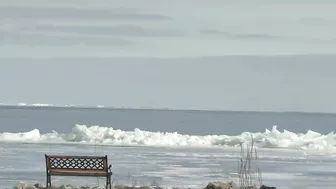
(91, 166)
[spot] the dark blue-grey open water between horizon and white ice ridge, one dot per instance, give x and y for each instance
(18, 119)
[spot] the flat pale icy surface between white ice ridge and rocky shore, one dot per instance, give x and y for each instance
(170, 167)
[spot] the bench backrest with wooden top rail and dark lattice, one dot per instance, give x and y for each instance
(77, 163)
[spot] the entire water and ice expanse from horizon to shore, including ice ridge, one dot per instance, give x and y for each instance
(172, 148)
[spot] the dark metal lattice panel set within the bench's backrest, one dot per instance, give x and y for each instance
(76, 163)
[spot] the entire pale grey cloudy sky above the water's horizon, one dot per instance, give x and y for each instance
(149, 54)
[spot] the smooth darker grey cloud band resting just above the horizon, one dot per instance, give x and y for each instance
(229, 83)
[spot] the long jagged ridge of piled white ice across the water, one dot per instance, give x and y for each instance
(83, 134)
